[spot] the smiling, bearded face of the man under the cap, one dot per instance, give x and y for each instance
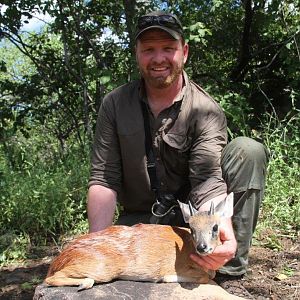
(160, 58)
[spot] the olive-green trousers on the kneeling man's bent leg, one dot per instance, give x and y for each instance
(244, 164)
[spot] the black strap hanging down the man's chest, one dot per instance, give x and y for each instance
(151, 167)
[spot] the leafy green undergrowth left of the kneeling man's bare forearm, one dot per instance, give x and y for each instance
(44, 192)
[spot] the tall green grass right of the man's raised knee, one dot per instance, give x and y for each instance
(281, 206)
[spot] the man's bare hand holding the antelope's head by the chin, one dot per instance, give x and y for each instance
(222, 253)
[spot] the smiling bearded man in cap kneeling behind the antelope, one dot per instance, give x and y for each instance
(188, 144)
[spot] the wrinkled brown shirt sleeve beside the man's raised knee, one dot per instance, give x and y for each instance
(205, 156)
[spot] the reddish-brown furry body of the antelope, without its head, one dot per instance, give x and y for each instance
(141, 252)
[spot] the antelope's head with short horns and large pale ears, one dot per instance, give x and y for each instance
(205, 225)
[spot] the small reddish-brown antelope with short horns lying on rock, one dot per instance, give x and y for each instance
(143, 252)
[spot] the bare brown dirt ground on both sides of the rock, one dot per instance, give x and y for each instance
(272, 274)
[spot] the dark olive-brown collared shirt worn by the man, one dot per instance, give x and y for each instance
(188, 138)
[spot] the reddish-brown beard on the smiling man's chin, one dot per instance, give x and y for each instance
(161, 82)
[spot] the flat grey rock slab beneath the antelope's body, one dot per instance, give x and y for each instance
(131, 290)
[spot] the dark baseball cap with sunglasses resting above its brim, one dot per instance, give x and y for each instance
(160, 20)
